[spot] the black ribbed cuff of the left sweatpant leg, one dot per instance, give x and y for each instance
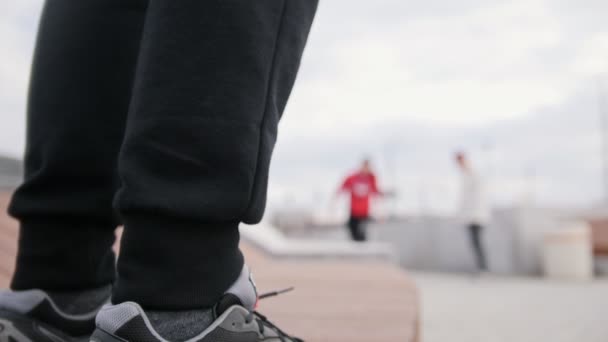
(64, 256)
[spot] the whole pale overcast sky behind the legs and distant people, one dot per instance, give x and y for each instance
(515, 82)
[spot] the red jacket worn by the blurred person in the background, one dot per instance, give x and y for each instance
(361, 187)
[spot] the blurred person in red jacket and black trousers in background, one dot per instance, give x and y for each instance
(361, 186)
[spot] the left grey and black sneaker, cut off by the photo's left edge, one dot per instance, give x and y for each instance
(34, 316)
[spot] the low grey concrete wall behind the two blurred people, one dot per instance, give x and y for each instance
(512, 241)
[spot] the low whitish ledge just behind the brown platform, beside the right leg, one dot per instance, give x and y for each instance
(271, 241)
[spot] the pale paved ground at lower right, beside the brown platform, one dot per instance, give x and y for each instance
(492, 309)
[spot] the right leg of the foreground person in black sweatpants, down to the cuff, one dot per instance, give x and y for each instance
(212, 82)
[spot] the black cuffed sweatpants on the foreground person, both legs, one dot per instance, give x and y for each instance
(161, 115)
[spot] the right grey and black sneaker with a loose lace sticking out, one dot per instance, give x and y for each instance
(234, 319)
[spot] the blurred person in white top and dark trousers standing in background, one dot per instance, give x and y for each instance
(473, 208)
